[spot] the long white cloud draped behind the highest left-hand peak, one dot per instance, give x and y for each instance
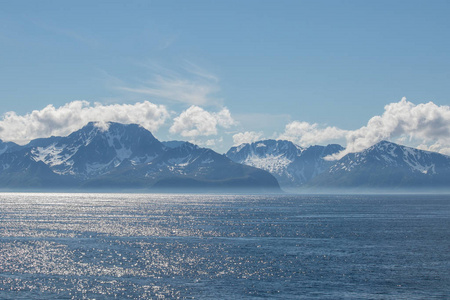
(72, 116)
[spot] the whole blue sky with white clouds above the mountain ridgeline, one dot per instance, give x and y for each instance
(221, 73)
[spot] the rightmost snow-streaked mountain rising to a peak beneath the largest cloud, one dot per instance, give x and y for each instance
(387, 164)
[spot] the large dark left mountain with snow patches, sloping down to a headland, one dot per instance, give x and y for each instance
(118, 155)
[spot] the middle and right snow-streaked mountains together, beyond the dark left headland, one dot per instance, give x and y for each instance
(384, 165)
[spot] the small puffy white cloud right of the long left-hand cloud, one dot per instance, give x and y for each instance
(195, 121)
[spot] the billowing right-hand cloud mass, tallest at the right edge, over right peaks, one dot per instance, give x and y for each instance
(426, 125)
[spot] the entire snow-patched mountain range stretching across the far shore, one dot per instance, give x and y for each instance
(130, 157)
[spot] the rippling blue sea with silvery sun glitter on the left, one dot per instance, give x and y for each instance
(158, 246)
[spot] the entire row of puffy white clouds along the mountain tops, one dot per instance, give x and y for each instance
(425, 126)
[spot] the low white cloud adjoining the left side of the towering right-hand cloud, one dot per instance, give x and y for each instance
(305, 134)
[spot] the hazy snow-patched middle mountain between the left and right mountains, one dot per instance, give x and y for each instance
(291, 164)
